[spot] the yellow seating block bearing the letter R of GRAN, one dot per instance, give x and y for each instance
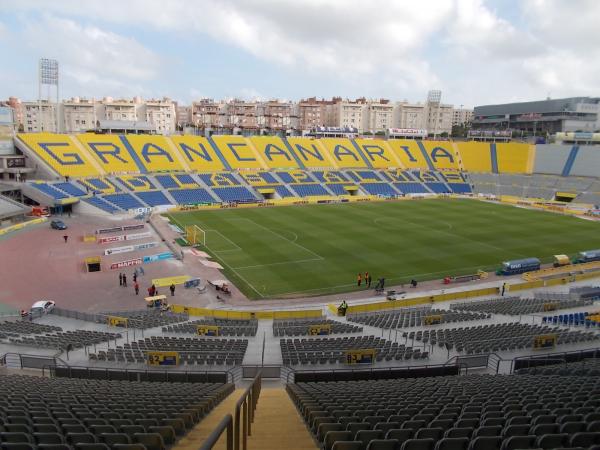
(110, 152)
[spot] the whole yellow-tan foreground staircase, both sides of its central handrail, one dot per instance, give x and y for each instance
(277, 424)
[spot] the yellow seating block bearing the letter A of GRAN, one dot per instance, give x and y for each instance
(154, 153)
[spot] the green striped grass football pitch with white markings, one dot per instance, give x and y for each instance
(319, 249)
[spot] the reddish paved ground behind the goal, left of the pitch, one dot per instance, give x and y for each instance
(35, 264)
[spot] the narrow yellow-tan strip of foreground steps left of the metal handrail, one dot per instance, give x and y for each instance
(194, 439)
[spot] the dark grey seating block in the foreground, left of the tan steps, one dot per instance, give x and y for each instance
(64, 413)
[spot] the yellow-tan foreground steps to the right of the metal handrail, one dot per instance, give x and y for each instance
(277, 424)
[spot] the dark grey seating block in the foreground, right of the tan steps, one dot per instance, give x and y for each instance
(478, 412)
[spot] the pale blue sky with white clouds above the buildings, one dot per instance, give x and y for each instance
(476, 51)
